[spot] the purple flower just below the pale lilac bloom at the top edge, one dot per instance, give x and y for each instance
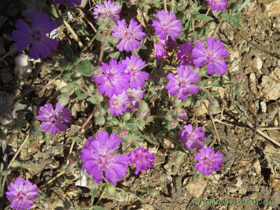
(128, 36)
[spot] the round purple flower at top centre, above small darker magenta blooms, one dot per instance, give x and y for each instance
(167, 24)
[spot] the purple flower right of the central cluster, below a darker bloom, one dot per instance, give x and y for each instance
(182, 83)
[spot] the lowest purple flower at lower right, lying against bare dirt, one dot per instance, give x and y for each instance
(208, 161)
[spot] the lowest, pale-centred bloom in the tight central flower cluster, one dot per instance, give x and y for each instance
(118, 103)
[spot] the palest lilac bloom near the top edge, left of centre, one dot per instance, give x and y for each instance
(111, 9)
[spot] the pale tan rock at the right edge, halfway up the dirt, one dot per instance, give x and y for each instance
(269, 88)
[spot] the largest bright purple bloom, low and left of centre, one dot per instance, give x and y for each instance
(99, 155)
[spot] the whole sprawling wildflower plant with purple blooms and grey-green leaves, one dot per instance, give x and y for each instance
(136, 80)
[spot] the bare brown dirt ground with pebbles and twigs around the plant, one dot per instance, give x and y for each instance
(249, 178)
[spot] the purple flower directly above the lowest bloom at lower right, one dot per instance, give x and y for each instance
(192, 138)
